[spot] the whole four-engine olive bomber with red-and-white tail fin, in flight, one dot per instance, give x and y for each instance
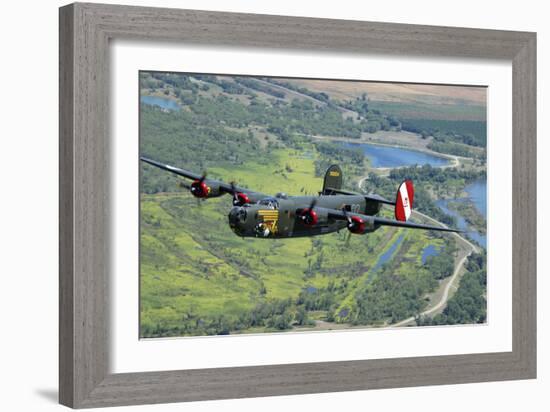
(259, 215)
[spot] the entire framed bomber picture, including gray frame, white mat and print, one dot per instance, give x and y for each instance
(257, 205)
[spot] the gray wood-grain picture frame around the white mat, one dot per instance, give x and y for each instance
(85, 32)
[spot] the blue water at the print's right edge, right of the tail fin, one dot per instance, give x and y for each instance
(477, 194)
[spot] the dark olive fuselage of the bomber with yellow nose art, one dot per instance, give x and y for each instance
(280, 216)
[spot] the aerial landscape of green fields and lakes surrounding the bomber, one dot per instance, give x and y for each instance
(277, 135)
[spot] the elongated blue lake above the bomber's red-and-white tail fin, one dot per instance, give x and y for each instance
(387, 156)
